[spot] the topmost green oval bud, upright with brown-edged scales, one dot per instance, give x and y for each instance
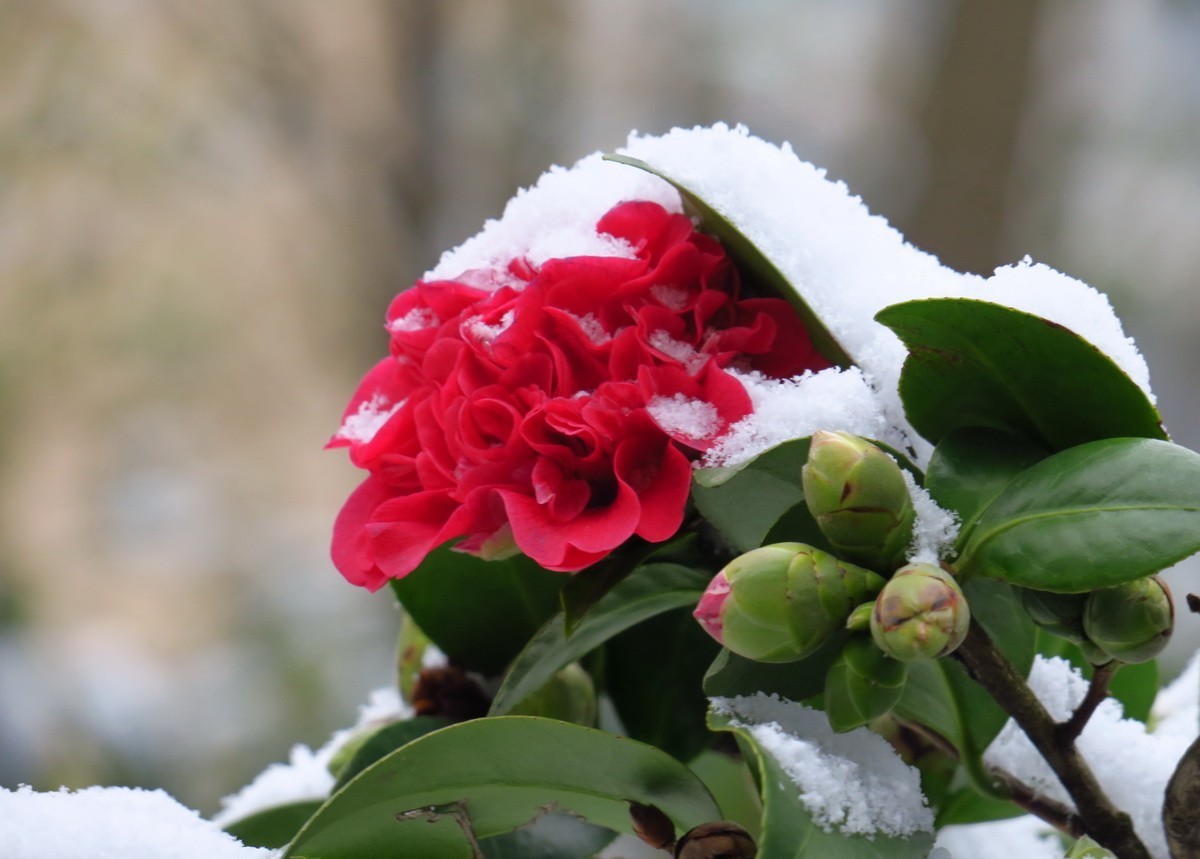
(860, 498)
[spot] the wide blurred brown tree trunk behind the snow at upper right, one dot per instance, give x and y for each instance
(971, 119)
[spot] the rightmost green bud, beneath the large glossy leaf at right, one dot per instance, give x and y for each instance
(1132, 622)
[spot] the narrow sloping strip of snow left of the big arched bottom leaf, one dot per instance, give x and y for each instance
(307, 776)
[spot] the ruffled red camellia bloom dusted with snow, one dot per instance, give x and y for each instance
(555, 410)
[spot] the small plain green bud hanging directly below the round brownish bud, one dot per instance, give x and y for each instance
(862, 684)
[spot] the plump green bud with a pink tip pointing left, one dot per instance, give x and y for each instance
(781, 603)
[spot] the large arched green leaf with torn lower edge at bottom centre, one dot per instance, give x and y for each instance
(493, 776)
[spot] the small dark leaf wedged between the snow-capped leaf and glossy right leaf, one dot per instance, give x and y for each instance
(971, 467)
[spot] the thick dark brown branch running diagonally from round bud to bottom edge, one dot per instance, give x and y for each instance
(993, 671)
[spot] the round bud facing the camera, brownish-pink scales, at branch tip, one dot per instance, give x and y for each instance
(921, 614)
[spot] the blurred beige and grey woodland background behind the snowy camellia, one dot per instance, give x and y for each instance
(205, 209)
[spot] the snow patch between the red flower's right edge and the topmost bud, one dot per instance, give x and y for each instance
(794, 409)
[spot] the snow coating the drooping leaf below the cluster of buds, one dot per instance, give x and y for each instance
(854, 783)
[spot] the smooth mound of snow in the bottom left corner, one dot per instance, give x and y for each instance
(111, 824)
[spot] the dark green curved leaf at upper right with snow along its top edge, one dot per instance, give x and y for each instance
(975, 364)
